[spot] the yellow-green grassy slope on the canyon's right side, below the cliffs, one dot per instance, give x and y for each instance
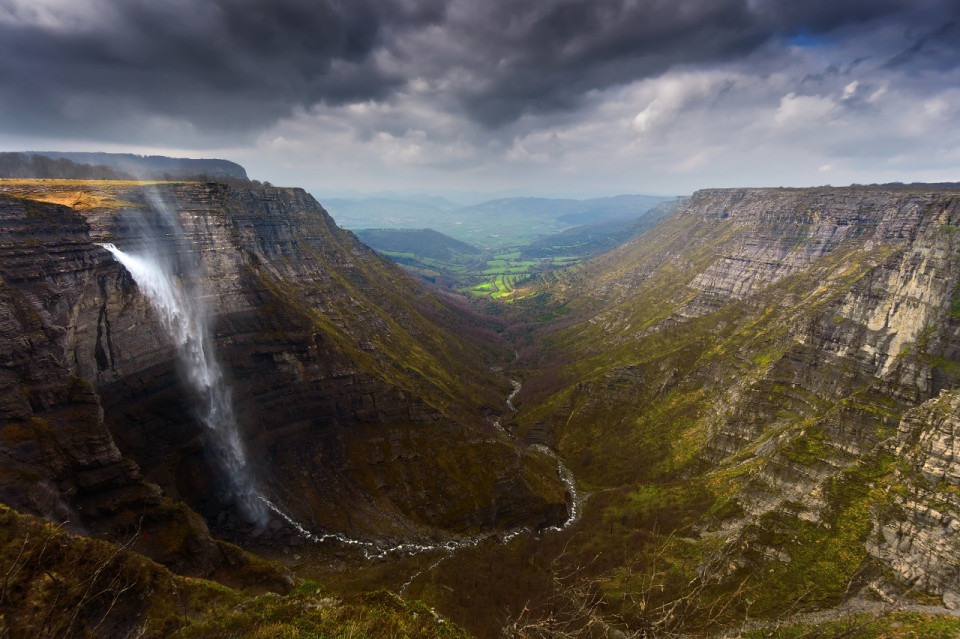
(643, 389)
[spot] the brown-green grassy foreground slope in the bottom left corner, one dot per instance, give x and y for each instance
(56, 584)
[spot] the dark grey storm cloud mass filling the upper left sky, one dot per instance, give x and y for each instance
(227, 65)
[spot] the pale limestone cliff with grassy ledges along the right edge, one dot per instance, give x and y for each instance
(862, 391)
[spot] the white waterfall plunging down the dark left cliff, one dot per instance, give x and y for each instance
(184, 317)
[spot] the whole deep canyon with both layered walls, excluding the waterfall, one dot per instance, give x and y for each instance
(758, 399)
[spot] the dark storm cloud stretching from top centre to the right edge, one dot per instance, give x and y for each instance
(572, 47)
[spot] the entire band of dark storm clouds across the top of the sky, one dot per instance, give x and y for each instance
(233, 66)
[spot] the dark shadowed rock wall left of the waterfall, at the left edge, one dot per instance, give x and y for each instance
(60, 460)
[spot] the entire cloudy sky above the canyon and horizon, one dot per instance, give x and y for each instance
(566, 97)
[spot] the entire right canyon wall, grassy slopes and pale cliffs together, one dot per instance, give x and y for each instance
(735, 385)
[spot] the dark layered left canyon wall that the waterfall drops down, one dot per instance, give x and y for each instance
(360, 410)
